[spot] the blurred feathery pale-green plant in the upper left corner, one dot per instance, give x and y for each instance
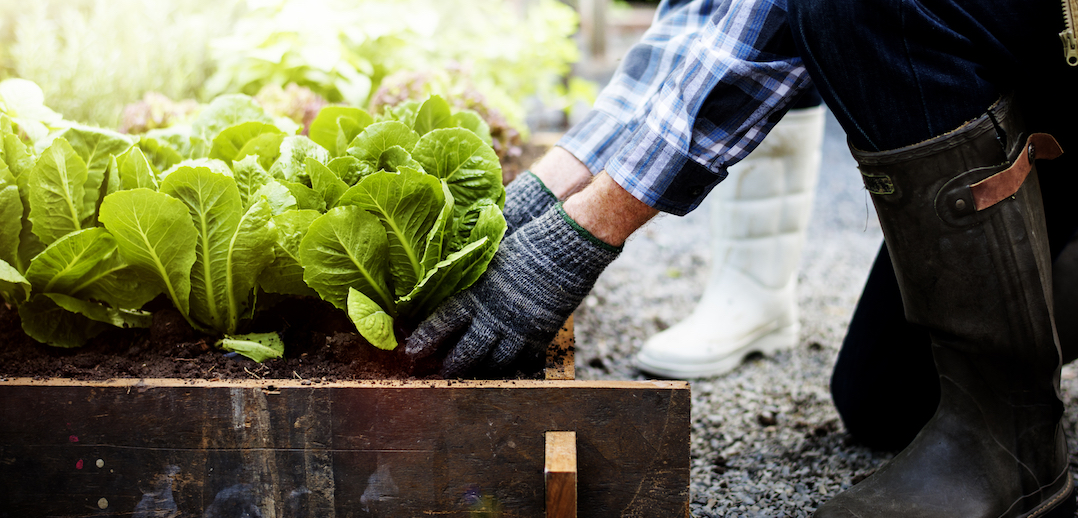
(91, 58)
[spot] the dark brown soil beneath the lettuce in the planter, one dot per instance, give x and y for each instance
(322, 345)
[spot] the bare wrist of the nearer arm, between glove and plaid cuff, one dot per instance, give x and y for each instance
(609, 212)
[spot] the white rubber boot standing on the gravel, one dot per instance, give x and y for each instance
(759, 216)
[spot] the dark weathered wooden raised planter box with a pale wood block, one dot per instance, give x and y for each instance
(149, 449)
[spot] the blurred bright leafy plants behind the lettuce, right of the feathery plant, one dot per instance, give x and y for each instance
(344, 50)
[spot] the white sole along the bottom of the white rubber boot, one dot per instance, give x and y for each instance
(767, 345)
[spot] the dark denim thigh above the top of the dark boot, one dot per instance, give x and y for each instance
(896, 73)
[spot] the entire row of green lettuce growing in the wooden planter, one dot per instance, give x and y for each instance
(382, 218)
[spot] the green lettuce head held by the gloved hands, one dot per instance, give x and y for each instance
(420, 225)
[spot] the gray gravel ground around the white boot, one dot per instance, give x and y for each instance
(766, 438)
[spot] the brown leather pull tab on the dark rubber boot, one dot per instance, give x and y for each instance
(959, 200)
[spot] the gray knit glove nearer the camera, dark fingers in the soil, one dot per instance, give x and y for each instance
(536, 281)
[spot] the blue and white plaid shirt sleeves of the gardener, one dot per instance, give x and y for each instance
(700, 91)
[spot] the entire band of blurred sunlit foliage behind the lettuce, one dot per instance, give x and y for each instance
(92, 58)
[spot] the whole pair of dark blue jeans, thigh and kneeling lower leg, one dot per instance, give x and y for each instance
(897, 73)
